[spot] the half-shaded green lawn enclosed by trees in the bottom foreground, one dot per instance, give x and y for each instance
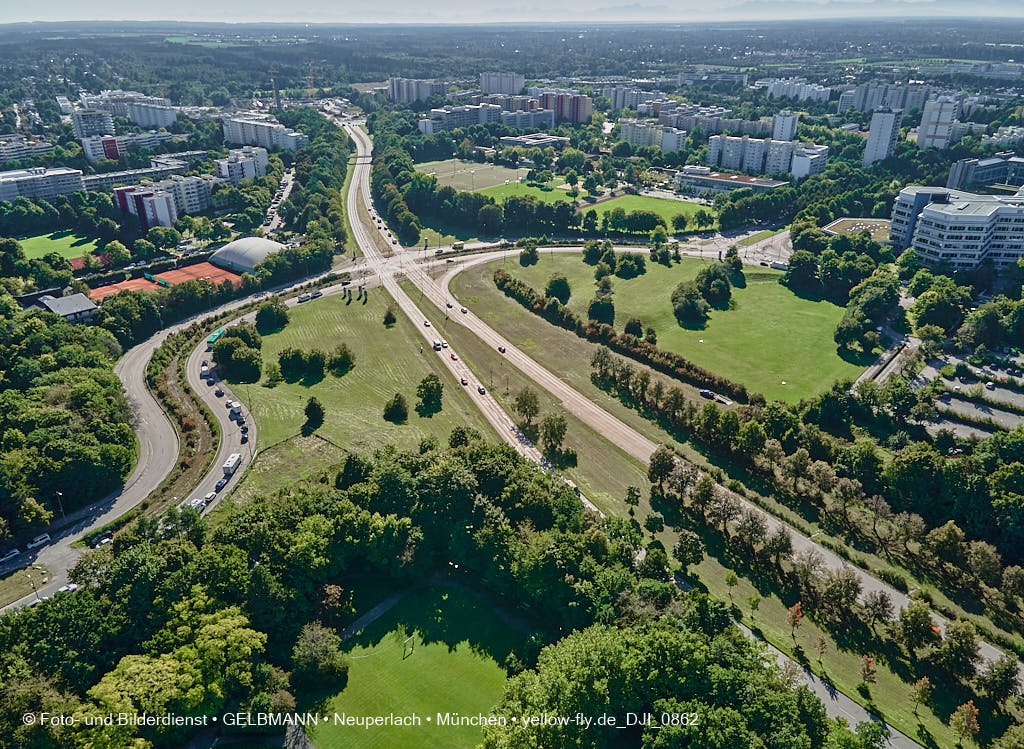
(460, 645)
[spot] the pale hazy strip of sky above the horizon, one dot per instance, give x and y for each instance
(463, 12)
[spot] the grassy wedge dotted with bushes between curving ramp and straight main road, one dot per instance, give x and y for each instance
(388, 361)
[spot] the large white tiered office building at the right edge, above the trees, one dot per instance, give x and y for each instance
(957, 228)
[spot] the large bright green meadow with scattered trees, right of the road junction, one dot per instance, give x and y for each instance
(770, 338)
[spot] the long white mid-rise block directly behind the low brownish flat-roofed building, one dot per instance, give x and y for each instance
(766, 156)
